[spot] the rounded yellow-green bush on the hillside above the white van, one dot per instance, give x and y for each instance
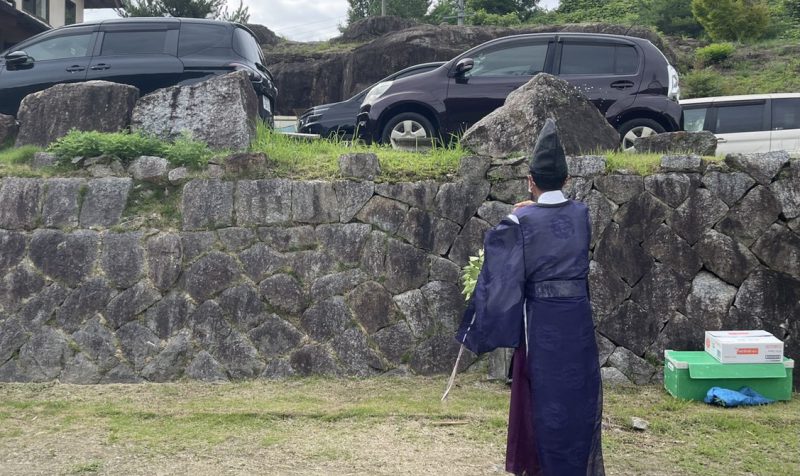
(738, 20)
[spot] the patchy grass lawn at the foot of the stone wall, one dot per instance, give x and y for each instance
(375, 426)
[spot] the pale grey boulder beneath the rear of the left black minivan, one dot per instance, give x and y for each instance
(201, 110)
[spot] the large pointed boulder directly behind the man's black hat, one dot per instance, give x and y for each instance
(513, 128)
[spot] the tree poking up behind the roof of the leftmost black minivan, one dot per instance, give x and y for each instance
(216, 9)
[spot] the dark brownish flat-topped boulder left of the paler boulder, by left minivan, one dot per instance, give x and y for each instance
(46, 115)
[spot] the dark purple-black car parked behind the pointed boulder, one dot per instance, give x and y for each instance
(627, 78)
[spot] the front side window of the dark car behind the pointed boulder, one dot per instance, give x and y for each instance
(510, 61)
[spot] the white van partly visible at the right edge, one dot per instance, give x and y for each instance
(747, 124)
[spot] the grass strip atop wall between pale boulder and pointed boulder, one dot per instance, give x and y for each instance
(319, 159)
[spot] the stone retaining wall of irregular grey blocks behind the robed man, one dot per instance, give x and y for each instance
(273, 278)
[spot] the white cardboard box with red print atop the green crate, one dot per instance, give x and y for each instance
(744, 347)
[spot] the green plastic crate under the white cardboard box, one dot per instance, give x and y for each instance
(689, 374)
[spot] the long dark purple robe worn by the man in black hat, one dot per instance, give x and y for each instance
(532, 294)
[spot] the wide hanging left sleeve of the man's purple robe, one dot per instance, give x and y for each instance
(494, 315)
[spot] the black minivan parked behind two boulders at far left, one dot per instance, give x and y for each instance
(149, 53)
